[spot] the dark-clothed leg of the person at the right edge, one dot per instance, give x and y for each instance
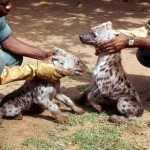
(143, 57)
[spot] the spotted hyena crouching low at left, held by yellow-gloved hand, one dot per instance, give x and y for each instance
(39, 93)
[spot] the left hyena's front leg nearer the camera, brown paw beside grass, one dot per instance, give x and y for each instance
(54, 109)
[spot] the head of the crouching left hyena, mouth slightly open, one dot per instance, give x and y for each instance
(69, 61)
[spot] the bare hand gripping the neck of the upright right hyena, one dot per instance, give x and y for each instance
(116, 44)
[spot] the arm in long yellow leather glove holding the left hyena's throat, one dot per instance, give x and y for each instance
(41, 70)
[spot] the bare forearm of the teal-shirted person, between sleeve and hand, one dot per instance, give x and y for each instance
(18, 47)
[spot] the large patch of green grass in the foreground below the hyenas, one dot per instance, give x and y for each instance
(90, 131)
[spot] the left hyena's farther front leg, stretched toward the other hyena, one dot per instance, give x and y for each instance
(67, 101)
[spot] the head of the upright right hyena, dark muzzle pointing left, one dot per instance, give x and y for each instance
(98, 34)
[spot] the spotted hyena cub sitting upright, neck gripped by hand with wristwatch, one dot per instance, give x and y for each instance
(110, 84)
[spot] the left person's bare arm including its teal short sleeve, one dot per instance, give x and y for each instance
(11, 44)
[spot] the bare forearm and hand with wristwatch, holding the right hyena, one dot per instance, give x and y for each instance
(120, 42)
